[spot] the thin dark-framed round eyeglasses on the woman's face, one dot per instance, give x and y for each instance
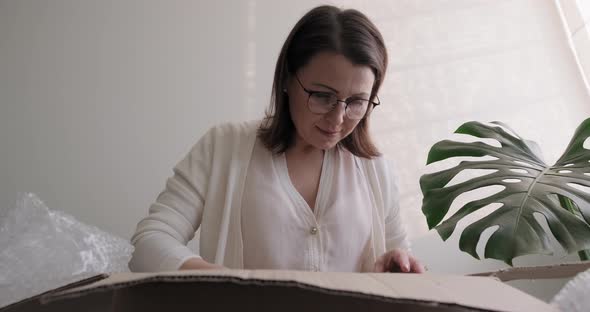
(319, 102)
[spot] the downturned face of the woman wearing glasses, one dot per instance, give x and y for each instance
(333, 73)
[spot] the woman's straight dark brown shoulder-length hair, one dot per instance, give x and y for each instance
(324, 29)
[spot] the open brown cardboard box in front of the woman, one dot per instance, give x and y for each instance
(239, 290)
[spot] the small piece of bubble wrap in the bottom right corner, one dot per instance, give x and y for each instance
(575, 295)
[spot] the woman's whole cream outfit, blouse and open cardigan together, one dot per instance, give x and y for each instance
(207, 192)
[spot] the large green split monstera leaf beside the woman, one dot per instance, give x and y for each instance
(531, 187)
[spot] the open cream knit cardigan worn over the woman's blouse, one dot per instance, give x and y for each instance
(206, 192)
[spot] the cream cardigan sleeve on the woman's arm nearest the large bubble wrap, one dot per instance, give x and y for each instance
(161, 238)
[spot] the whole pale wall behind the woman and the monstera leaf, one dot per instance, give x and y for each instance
(99, 99)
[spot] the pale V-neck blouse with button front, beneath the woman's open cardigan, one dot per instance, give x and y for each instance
(281, 231)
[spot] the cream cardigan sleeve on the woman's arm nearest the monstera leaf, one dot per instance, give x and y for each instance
(395, 229)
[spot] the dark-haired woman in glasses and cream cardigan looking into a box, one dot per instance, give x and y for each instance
(305, 189)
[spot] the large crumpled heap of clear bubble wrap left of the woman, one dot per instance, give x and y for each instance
(41, 249)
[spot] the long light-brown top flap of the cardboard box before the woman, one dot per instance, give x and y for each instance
(469, 291)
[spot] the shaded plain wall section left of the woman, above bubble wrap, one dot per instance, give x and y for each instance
(99, 99)
